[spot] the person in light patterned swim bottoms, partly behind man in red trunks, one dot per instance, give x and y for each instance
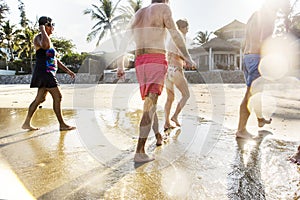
(175, 76)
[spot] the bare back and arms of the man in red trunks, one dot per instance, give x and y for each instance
(149, 29)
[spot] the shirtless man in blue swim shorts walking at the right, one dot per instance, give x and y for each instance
(259, 27)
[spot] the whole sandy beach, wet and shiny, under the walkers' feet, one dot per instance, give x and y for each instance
(201, 160)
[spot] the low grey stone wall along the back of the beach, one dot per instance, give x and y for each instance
(130, 77)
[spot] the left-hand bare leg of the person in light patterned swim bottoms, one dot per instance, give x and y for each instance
(168, 105)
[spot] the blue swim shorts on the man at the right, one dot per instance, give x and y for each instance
(251, 68)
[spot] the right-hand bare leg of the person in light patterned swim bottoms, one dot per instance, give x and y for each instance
(182, 85)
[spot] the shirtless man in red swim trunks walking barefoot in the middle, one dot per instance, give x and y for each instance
(149, 29)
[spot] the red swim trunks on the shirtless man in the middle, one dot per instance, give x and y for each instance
(151, 72)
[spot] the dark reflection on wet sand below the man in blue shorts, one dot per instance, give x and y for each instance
(244, 180)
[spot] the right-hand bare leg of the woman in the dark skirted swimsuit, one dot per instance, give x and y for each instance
(56, 96)
